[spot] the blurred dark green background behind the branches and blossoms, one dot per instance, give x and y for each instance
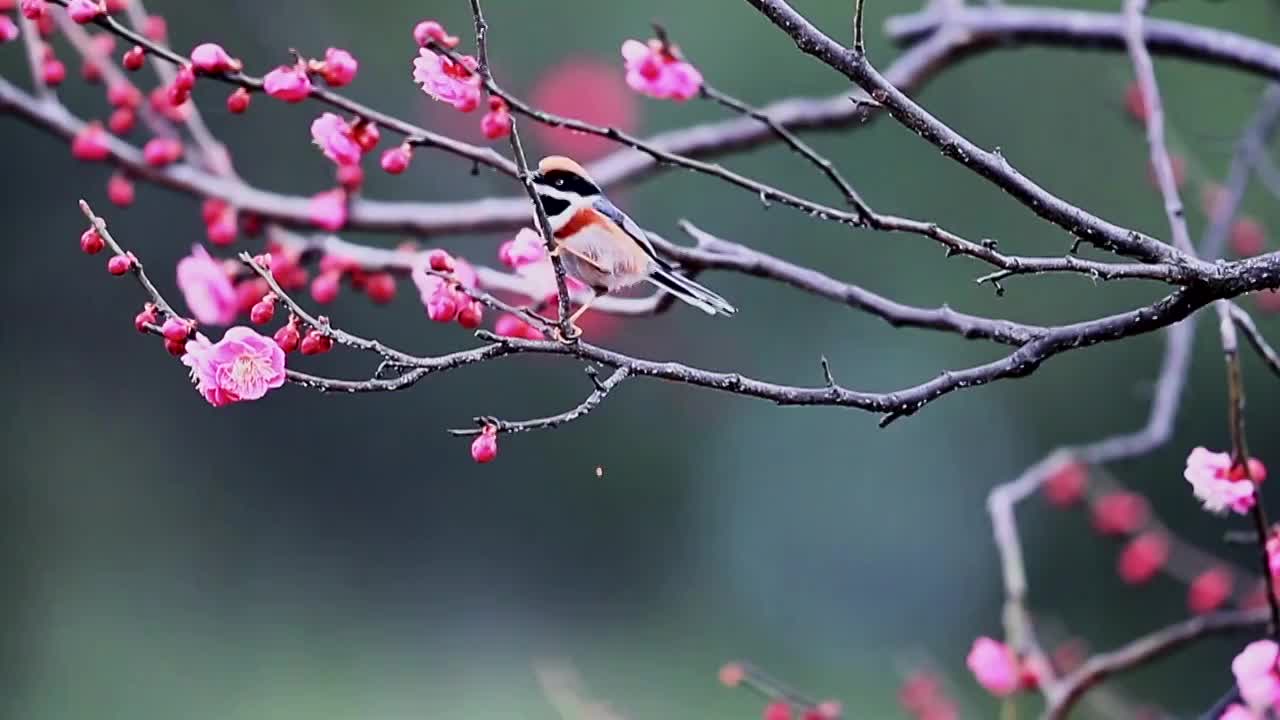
(339, 558)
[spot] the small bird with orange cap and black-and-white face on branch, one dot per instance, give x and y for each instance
(602, 247)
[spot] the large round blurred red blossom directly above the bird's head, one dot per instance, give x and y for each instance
(591, 90)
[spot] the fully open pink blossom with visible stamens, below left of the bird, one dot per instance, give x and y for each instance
(244, 366)
